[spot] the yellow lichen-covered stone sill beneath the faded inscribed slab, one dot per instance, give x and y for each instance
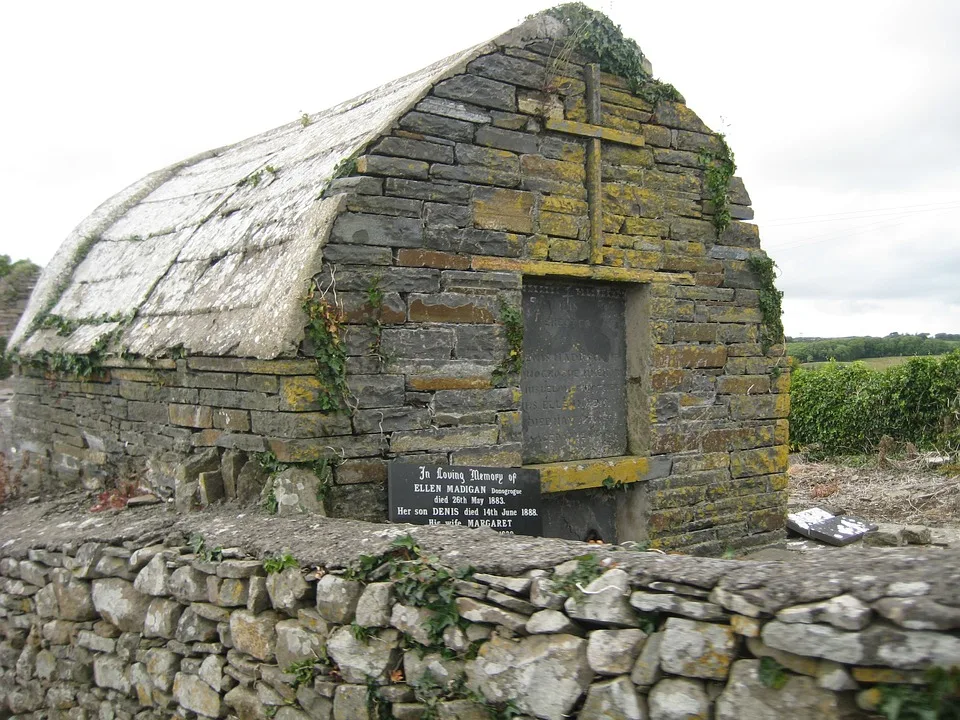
(585, 474)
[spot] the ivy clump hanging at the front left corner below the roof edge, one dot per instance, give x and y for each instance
(324, 320)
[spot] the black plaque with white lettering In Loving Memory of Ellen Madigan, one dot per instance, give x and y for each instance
(504, 499)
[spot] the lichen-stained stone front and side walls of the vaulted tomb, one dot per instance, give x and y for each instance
(442, 219)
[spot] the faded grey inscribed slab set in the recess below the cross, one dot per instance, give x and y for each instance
(574, 372)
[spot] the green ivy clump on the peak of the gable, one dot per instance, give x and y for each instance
(600, 40)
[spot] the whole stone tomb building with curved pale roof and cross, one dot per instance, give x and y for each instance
(508, 258)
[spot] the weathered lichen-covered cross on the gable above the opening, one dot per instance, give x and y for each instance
(595, 132)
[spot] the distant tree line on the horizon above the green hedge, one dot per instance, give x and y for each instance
(857, 348)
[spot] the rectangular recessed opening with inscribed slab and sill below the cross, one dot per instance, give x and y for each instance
(585, 389)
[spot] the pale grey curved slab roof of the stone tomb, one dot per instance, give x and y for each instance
(213, 254)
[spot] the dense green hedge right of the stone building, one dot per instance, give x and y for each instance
(848, 408)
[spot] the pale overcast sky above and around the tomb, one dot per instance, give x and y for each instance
(844, 117)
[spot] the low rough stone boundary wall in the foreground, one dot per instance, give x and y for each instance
(120, 617)
